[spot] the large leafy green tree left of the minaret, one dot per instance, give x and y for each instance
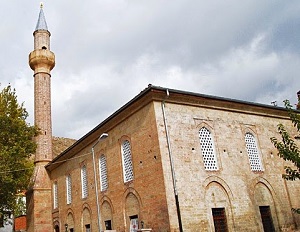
(16, 148)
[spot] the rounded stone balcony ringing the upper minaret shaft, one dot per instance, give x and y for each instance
(41, 60)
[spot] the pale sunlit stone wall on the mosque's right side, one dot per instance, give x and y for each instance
(233, 186)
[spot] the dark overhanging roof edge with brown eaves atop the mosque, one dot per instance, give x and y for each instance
(156, 93)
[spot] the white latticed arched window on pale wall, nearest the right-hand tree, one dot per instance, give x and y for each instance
(253, 154)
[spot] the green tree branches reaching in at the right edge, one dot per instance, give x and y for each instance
(287, 148)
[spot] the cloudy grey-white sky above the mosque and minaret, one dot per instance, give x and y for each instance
(107, 51)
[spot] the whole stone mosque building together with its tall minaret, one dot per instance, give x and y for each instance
(166, 161)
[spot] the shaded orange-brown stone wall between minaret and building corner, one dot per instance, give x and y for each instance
(144, 196)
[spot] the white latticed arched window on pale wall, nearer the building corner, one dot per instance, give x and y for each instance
(208, 150)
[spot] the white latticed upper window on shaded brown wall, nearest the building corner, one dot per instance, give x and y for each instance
(127, 161)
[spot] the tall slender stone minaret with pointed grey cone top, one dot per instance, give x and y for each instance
(39, 197)
